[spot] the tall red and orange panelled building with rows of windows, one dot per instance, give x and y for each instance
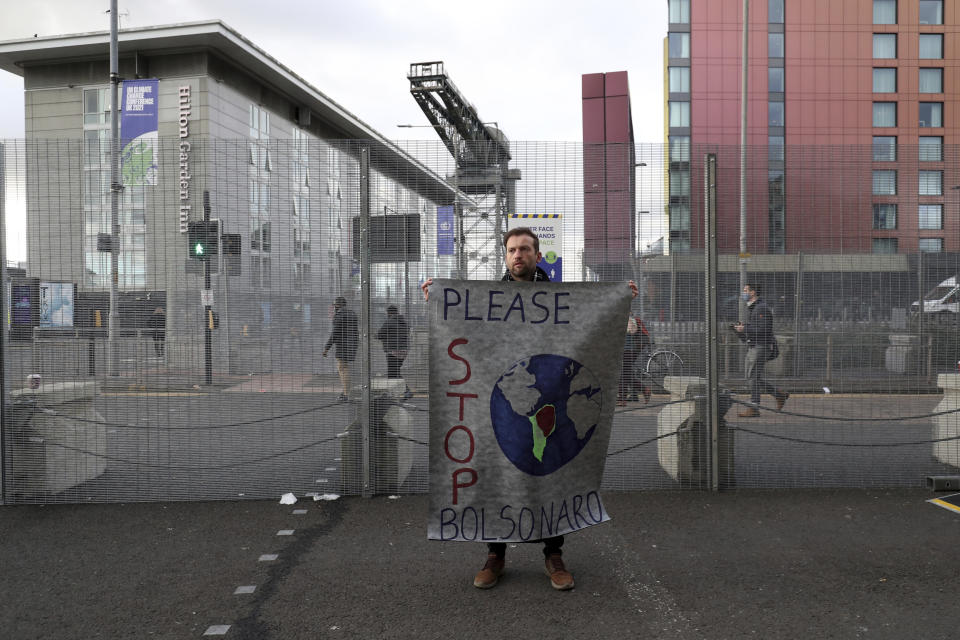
(852, 124)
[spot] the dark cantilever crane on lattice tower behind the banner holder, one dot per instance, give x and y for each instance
(482, 155)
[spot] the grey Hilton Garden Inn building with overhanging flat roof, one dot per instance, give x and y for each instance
(279, 161)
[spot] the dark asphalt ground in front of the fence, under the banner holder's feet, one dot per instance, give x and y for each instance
(877, 564)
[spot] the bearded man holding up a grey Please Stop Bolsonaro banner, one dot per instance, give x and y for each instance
(523, 389)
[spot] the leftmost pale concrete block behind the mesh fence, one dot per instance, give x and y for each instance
(57, 439)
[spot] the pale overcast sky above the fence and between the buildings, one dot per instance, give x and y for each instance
(518, 61)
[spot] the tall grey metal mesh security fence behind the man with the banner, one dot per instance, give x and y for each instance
(216, 380)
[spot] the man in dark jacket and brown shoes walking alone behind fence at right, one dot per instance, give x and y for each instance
(757, 332)
